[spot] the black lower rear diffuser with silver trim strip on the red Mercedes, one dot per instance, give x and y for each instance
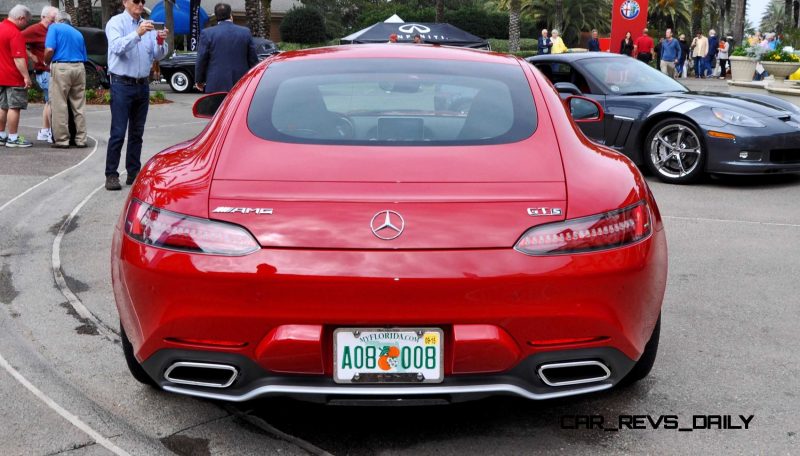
(254, 382)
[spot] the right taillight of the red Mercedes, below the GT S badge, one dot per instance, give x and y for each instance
(597, 232)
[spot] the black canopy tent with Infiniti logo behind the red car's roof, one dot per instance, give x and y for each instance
(433, 33)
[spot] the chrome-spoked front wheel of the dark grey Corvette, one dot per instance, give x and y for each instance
(674, 152)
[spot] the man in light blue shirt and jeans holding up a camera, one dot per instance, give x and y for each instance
(133, 45)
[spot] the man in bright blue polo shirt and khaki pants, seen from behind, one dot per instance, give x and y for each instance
(65, 51)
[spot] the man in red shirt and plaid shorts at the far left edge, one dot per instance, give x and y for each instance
(14, 79)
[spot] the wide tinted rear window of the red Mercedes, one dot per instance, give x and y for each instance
(392, 102)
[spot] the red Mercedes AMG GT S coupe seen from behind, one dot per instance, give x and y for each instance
(390, 222)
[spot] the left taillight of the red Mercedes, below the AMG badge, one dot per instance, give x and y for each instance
(174, 231)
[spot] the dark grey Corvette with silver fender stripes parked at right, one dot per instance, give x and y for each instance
(678, 134)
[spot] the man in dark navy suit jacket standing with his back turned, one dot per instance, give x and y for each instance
(226, 52)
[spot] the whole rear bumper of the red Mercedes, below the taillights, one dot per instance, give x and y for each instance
(503, 314)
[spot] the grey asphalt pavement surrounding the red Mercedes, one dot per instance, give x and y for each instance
(729, 343)
